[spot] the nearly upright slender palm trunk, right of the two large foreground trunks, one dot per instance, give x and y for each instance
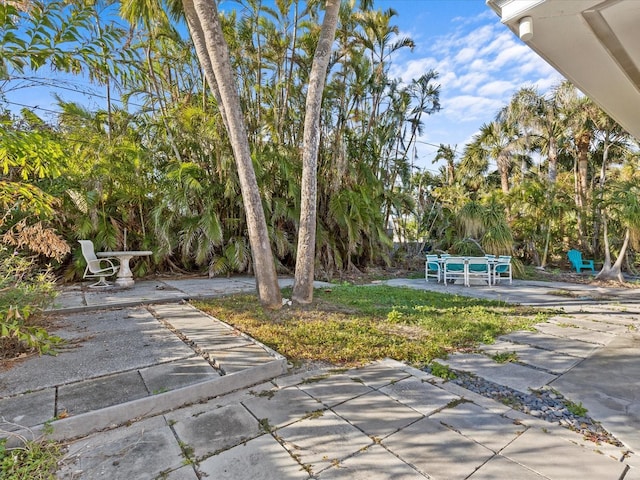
(305, 257)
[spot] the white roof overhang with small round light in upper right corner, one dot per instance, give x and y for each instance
(594, 43)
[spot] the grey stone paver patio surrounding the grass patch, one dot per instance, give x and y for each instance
(182, 396)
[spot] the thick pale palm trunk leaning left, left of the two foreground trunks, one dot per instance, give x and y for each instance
(216, 53)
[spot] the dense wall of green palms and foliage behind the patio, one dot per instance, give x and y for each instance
(165, 174)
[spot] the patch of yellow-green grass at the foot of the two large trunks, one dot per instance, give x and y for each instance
(351, 325)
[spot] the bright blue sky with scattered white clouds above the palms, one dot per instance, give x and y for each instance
(480, 64)
